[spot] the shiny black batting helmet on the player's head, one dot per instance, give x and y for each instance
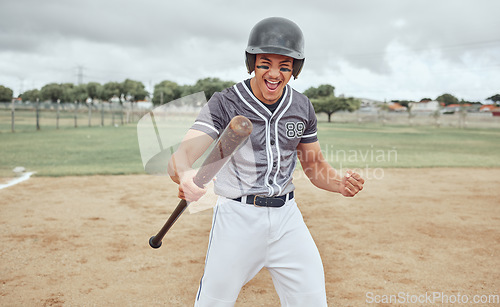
(276, 35)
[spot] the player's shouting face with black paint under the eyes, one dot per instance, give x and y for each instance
(272, 73)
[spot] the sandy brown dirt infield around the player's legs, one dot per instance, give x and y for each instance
(83, 241)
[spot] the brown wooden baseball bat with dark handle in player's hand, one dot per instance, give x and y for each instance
(236, 132)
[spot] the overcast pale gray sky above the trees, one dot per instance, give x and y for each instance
(379, 49)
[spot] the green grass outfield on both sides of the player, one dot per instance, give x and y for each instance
(115, 150)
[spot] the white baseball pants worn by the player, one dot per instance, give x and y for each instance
(244, 239)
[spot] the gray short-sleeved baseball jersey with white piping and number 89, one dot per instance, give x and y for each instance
(265, 163)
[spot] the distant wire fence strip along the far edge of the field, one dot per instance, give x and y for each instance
(44, 115)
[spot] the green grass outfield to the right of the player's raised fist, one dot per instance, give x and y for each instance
(352, 145)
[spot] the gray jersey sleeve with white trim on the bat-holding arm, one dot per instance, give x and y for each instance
(211, 119)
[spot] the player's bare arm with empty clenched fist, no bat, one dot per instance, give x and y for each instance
(323, 175)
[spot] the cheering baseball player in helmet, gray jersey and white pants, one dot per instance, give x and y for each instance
(256, 221)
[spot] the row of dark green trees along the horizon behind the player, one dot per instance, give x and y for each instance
(322, 97)
